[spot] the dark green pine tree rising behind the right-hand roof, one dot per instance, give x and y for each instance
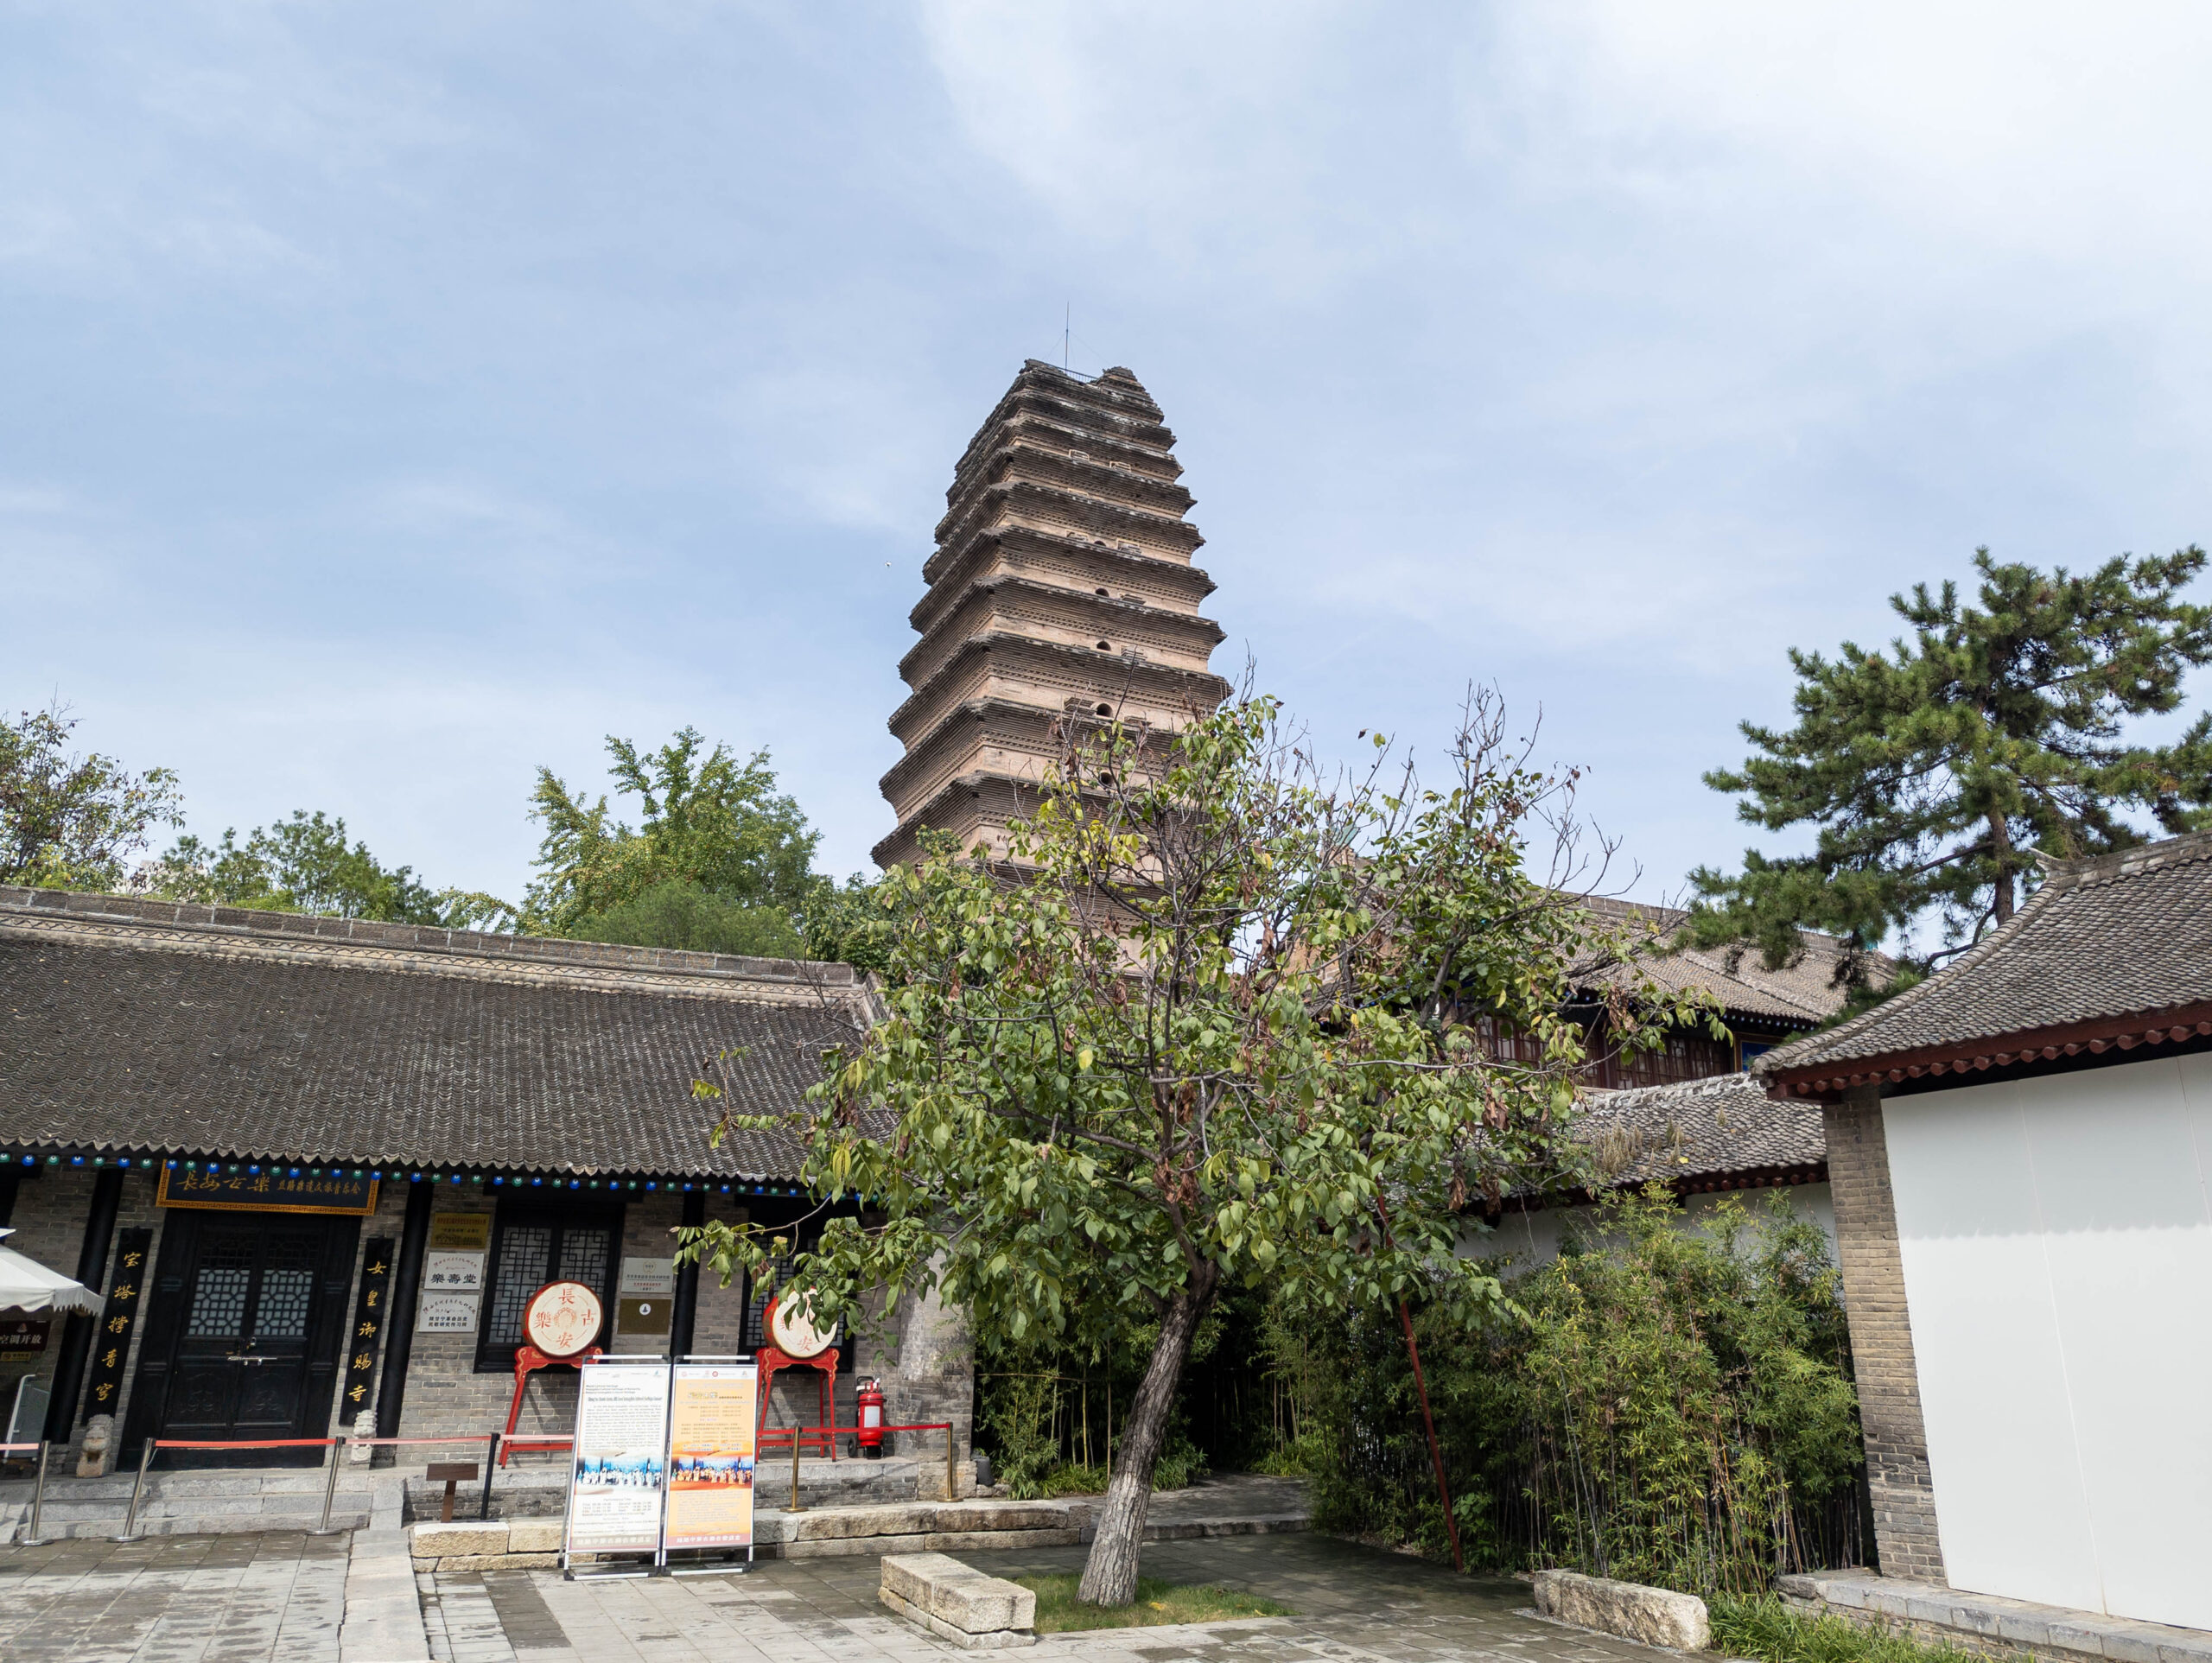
(1943, 771)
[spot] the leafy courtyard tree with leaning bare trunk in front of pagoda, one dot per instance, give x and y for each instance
(1211, 1021)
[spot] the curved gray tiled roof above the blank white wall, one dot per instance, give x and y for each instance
(2127, 934)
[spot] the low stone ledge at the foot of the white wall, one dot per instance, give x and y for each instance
(1990, 1624)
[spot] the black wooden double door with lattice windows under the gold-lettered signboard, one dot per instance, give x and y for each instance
(244, 1335)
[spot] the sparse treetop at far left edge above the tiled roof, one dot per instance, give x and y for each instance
(74, 822)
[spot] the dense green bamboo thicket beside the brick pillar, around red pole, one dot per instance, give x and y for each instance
(1671, 1408)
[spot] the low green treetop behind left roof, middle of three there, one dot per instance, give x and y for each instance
(300, 866)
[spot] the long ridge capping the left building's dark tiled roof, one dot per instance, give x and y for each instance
(273, 928)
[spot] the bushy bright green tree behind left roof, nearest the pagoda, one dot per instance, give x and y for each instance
(720, 859)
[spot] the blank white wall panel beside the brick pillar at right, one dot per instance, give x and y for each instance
(2058, 1268)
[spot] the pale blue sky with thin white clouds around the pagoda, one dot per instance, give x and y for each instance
(399, 399)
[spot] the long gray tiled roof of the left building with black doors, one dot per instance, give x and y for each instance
(132, 1025)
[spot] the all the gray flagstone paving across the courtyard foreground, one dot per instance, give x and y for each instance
(280, 1598)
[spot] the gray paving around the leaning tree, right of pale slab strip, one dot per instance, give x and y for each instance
(1355, 1607)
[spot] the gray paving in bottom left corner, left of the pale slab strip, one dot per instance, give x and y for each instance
(176, 1600)
